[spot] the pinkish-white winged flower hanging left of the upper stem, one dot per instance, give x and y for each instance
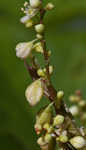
(23, 50)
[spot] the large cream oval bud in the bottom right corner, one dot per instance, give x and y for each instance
(78, 142)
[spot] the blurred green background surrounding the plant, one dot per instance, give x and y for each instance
(66, 37)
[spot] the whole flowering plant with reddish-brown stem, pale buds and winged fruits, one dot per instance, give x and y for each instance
(55, 123)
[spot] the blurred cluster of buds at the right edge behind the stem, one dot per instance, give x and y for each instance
(78, 109)
